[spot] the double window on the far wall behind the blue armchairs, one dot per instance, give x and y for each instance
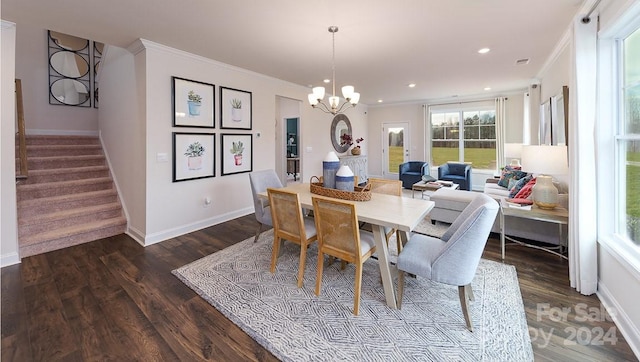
(473, 140)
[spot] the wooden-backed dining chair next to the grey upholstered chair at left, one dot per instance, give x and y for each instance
(289, 224)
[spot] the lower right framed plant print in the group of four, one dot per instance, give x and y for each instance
(236, 153)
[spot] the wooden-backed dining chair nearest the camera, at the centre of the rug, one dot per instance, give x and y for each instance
(340, 237)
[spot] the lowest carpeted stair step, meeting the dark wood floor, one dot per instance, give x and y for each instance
(70, 236)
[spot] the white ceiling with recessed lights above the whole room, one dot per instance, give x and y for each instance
(381, 46)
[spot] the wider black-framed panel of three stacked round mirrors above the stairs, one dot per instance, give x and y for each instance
(69, 70)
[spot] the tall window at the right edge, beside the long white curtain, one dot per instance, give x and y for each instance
(628, 140)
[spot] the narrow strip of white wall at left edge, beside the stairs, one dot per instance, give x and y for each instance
(8, 215)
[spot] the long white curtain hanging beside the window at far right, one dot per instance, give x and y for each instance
(583, 261)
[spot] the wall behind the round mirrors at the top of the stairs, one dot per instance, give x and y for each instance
(32, 67)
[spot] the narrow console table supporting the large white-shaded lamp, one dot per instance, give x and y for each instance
(558, 216)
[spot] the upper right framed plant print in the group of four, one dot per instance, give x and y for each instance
(235, 108)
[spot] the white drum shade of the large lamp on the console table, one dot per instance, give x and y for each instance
(545, 159)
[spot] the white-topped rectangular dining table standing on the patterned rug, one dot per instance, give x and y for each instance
(401, 213)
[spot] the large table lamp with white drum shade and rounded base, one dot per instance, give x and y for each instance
(545, 161)
